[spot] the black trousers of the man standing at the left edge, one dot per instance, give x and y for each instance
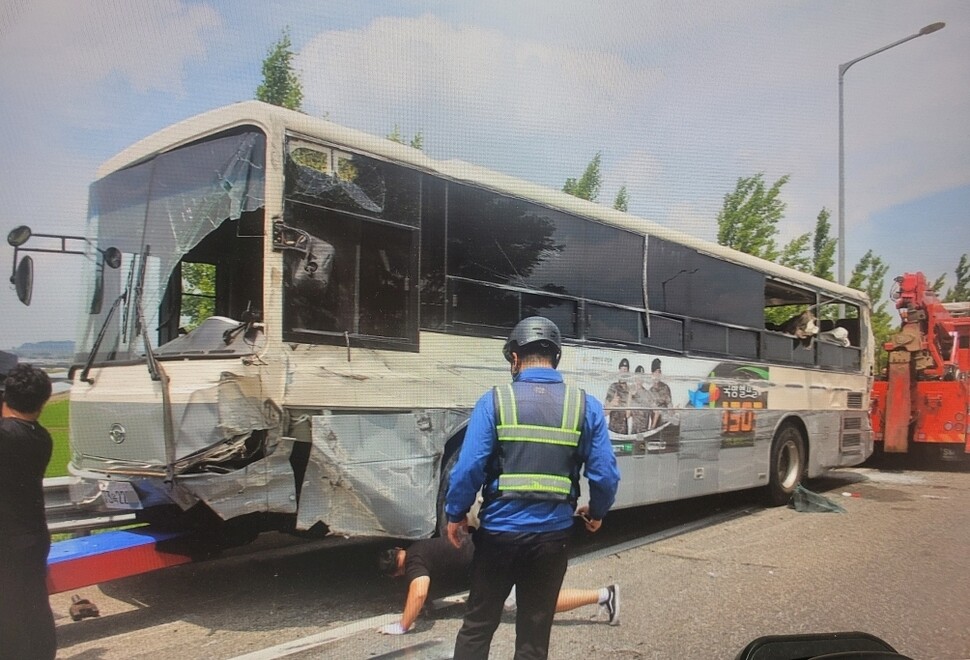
(26, 622)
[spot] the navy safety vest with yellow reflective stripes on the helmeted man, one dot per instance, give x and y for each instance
(537, 453)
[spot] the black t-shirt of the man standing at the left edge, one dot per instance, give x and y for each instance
(25, 450)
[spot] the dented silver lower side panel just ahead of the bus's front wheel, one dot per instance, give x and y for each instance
(376, 474)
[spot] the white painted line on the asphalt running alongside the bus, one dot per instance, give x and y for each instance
(374, 622)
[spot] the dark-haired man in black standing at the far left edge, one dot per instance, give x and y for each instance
(26, 621)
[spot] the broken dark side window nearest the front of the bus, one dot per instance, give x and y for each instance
(354, 275)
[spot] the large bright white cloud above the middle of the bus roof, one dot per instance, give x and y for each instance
(465, 81)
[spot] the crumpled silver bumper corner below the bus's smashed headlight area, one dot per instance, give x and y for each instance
(263, 486)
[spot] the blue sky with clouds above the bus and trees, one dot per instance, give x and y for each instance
(680, 98)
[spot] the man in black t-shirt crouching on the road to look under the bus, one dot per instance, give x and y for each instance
(436, 561)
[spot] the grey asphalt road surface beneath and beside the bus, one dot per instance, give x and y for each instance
(894, 565)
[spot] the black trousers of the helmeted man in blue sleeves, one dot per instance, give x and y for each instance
(535, 564)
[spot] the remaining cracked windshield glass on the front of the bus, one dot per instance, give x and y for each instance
(155, 212)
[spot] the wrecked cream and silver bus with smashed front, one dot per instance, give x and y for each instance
(286, 323)
